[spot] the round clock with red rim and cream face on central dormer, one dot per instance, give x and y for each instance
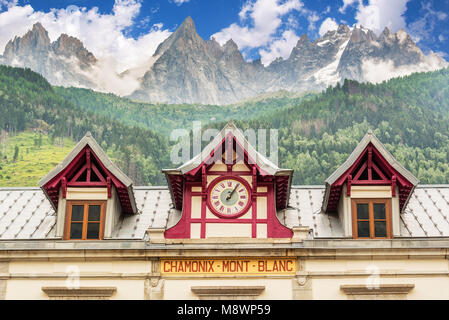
(229, 197)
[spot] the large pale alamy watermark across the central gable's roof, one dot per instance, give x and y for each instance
(255, 144)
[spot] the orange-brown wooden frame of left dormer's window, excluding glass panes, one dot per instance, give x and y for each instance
(85, 204)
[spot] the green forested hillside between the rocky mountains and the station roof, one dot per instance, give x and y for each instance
(410, 115)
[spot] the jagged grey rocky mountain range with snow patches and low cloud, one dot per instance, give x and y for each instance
(187, 69)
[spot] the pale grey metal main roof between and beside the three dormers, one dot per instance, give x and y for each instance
(25, 213)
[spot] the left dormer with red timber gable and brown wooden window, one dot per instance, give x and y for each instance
(89, 193)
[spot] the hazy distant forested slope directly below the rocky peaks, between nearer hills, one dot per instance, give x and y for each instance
(164, 118)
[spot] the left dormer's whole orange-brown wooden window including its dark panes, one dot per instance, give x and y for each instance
(85, 220)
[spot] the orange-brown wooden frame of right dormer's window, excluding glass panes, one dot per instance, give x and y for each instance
(371, 220)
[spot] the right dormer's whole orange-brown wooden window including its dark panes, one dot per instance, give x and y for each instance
(371, 218)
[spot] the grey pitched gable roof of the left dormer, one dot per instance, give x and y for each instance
(88, 140)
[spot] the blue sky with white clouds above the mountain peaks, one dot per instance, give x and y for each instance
(129, 31)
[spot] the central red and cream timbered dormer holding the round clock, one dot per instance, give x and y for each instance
(229, 190)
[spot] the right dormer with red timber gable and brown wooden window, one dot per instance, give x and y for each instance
(369, 191)
